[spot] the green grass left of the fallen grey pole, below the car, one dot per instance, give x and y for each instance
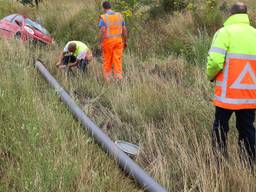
(42, 147)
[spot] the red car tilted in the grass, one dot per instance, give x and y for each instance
(20, 27)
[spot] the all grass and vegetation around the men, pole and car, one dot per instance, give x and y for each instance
(163, 104)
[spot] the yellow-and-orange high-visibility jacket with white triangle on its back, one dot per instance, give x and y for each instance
(232, 63)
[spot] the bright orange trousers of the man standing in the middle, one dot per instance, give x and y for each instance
(112, 58)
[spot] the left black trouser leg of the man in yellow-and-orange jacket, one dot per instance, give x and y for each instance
(220, 131)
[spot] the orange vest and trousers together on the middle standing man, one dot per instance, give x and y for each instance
(113, 45)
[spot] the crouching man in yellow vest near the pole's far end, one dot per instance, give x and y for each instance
(75, 54)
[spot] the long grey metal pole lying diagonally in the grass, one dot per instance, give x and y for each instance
(125, 162)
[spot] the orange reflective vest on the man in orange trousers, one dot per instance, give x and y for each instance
(113, 24)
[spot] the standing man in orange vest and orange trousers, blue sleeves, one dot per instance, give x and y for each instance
(112, 41)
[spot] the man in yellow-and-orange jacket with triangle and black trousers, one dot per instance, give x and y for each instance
(232, 65)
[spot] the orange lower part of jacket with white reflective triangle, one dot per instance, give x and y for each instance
(235, 85)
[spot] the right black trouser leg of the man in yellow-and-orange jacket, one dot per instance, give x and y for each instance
(246, 130)
